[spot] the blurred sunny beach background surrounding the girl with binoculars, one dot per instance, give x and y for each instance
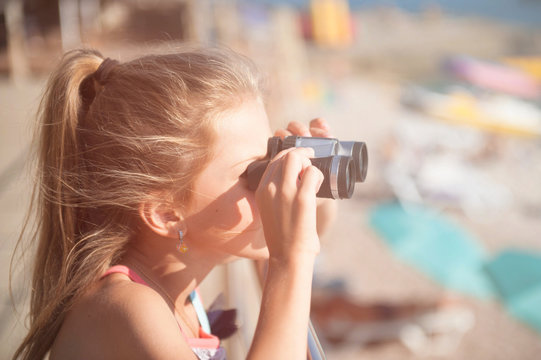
(438, 254)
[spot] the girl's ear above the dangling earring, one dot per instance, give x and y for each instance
(161, 218)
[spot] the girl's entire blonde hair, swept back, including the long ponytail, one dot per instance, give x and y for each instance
(111, 136)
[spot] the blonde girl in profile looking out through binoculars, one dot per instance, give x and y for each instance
(140, 195)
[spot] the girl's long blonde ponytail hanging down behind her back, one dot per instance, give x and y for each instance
(64, 104)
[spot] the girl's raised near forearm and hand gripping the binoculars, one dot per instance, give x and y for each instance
(287, 203)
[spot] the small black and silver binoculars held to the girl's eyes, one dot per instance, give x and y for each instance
(343, 163)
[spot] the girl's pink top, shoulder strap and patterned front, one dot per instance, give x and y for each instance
(205, 347)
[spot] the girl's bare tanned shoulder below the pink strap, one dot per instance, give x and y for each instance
(118, 318)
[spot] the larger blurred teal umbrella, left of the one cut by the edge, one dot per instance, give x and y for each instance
(435, 245)
